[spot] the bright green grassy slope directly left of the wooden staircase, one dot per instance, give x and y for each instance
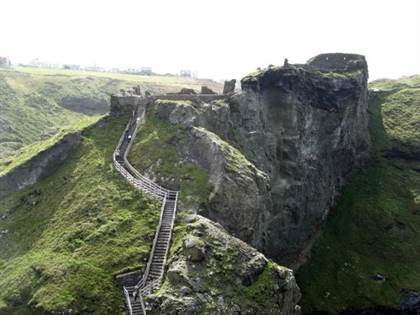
(63, 239)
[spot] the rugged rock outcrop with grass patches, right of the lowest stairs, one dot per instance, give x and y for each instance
(229, 278)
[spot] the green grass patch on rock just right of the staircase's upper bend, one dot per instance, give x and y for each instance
(155, 148)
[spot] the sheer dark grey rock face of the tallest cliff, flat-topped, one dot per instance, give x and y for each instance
(306, 129)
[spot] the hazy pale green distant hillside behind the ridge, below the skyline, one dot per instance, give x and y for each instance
(37, 104)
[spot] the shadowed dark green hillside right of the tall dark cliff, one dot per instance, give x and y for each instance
(375, 228)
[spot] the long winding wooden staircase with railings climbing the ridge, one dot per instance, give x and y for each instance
(155, 268)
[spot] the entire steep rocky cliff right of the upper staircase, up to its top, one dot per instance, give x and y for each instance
(275, 156)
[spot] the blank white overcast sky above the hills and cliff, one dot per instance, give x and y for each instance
(218, 39)
